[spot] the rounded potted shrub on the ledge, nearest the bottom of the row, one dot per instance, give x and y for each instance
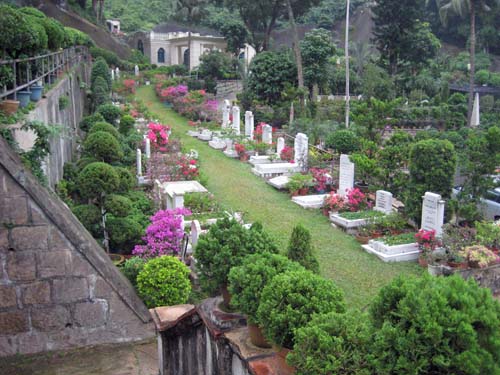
(291, 299)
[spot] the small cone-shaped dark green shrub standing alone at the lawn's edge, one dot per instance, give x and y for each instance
(300, 249)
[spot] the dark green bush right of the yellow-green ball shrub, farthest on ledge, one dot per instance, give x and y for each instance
(223, 247)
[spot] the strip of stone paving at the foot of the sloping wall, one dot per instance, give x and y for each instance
(128, 359)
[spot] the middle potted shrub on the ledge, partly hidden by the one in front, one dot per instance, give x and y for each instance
(247, 281)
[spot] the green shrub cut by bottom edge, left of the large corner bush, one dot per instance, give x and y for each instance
(333, 343)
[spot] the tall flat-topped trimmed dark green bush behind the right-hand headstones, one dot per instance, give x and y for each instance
(432, 167)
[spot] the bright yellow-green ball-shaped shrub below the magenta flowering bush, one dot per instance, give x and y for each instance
(164, 281)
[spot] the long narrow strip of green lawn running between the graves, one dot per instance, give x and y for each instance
(341, 258)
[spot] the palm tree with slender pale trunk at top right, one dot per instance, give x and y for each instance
(461, 8)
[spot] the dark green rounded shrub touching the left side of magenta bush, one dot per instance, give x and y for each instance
(124, 233)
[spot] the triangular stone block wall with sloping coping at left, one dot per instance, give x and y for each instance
(58, 288)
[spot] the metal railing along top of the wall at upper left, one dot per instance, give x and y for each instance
(20, 74)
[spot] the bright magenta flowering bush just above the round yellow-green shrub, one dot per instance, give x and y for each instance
(163, 235)
